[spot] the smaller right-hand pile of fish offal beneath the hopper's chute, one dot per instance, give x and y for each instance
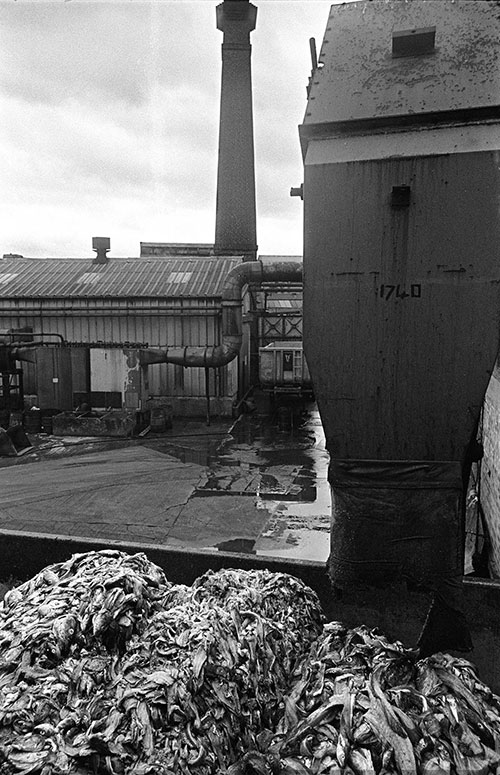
(361, 705)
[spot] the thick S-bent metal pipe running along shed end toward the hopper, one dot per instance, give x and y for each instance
(232, 332)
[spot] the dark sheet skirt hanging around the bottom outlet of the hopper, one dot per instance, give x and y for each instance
(393, 520)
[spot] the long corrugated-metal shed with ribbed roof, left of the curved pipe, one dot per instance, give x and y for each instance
(101, 308)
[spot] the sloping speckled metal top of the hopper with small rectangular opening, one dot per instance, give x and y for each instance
(359, 78)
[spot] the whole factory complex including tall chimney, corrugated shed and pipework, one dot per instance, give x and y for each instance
(162, 326)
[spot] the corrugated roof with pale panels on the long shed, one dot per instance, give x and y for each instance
(119, 277)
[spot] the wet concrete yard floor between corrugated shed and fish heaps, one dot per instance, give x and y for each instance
(255, 486)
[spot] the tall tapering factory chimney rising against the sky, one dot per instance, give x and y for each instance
(235, 227)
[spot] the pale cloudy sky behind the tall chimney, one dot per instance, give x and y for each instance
(109, 122)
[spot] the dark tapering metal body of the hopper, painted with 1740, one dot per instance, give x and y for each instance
(402, 306)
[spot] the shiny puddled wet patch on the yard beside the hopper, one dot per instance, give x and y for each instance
(282, 463)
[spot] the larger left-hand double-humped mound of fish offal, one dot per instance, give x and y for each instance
(106, 667)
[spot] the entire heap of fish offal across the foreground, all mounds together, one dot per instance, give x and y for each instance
(107, 667)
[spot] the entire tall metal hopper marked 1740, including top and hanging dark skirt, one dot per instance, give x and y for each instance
(401, 274)
